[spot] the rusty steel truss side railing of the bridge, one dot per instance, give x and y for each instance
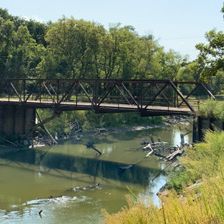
(97, 93)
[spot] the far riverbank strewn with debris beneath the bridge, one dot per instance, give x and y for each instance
(77, 136)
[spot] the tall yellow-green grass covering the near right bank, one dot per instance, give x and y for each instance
(201, 203)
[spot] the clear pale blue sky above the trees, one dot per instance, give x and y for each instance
(176, 24)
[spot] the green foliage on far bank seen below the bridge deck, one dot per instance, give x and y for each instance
(89, 120)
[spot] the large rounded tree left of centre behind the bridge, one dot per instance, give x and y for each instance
(73, 49)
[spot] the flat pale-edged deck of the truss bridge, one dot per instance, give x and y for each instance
(102, 108)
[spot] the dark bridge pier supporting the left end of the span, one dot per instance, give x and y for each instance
(16, 120)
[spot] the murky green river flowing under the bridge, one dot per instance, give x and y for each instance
(72, 184)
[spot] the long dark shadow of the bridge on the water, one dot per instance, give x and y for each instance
(129, 173)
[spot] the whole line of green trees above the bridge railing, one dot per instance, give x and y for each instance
(70, 48)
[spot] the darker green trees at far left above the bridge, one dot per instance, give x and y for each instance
(20, 54)
